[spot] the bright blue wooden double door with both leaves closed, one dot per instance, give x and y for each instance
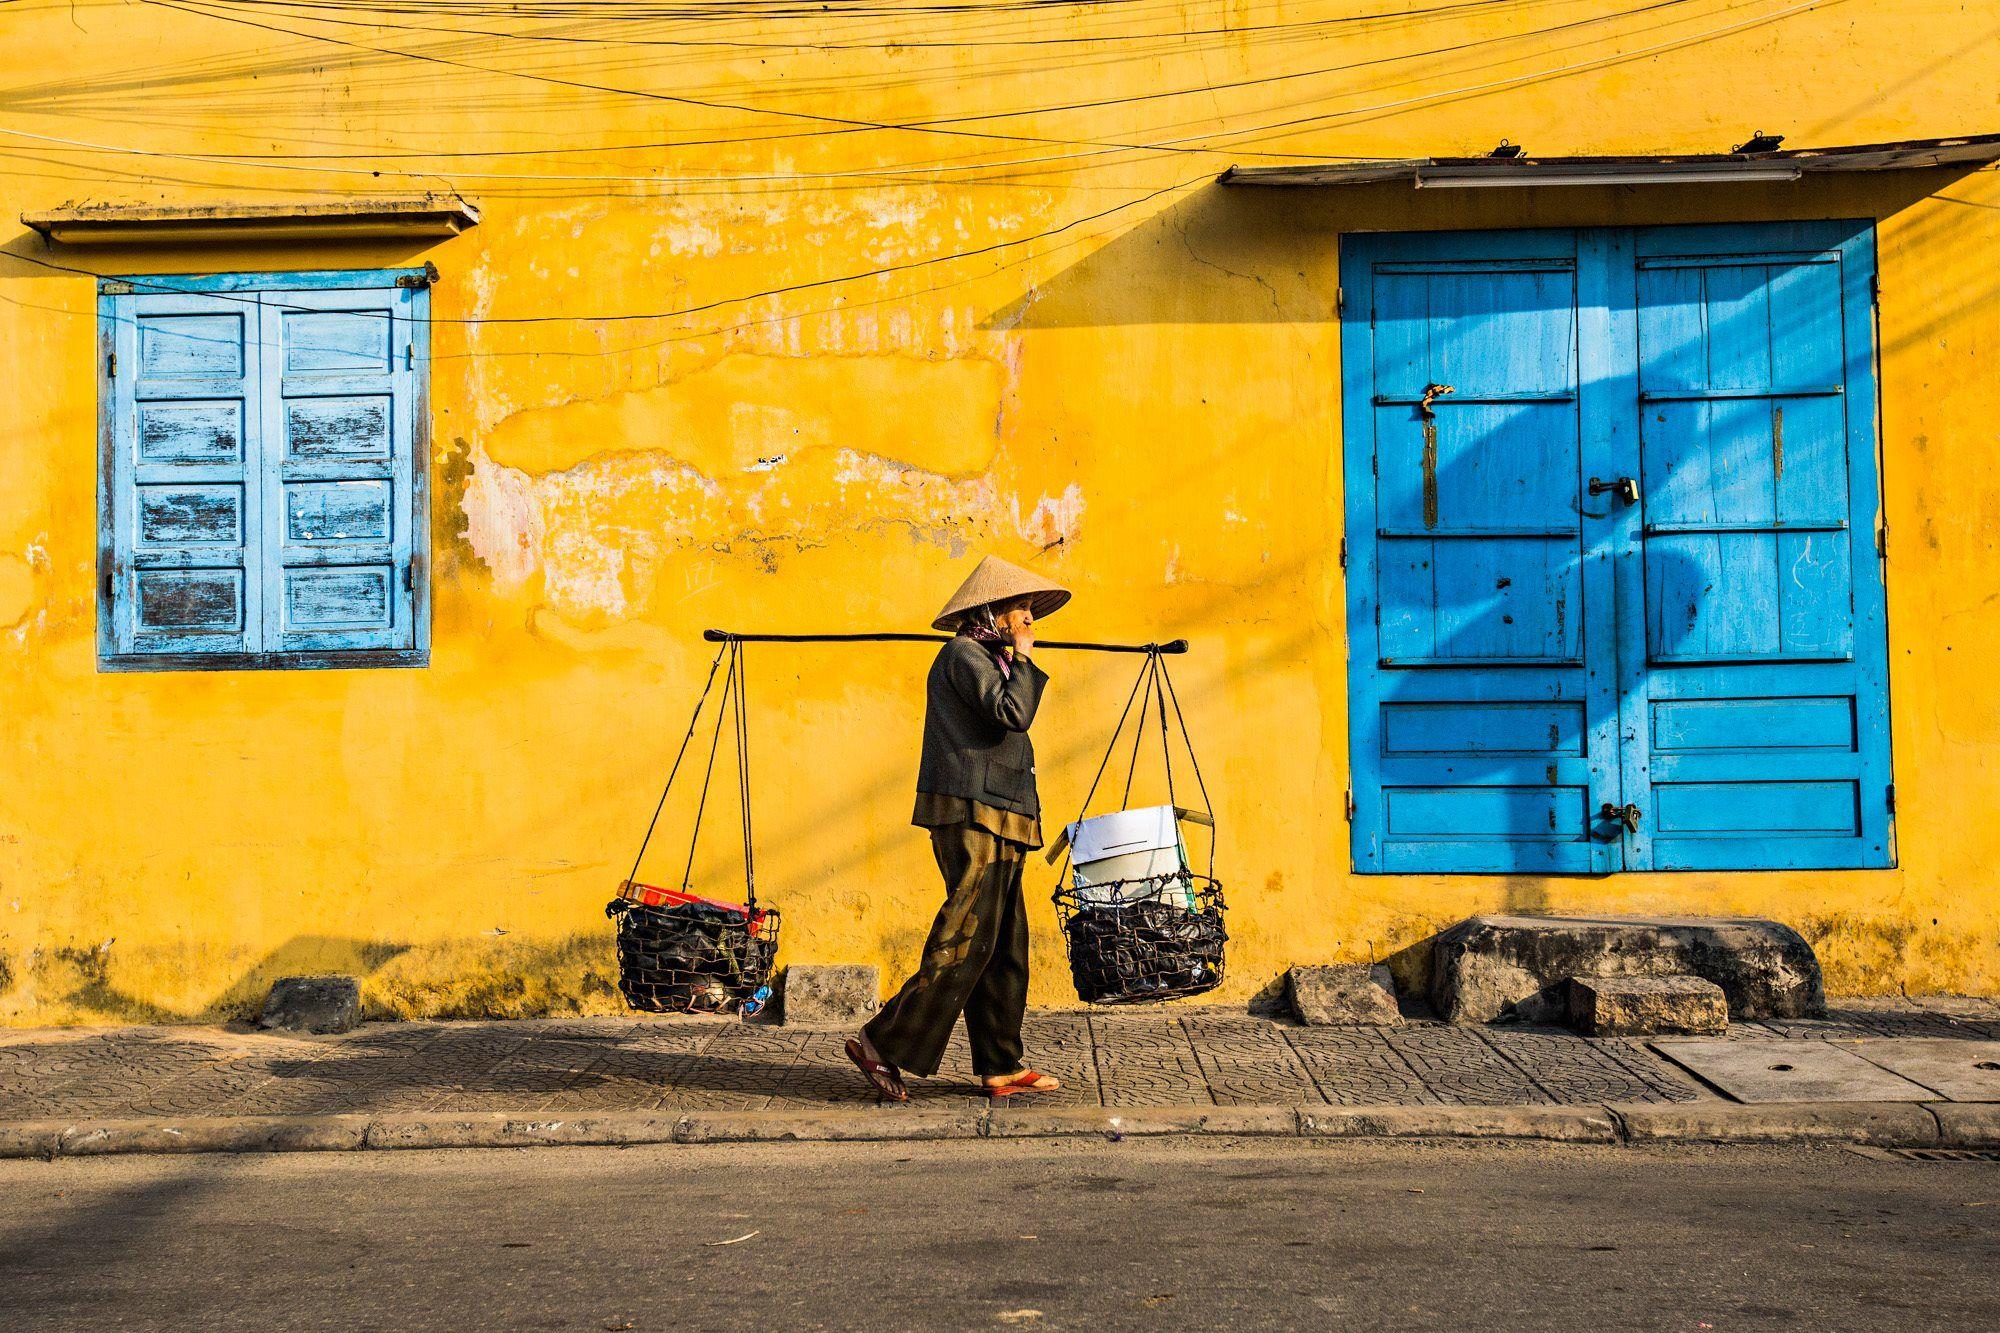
(1615, 593)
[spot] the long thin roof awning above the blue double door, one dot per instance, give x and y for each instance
(1665, 169)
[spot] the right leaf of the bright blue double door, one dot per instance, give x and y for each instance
(1763, 696)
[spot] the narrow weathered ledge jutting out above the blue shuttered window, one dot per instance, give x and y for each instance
(427, 215)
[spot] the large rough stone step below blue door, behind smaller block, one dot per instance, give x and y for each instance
(1497, 966)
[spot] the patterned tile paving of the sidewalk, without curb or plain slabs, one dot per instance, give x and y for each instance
(1183, 1056)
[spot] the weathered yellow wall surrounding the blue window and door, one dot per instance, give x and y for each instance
(1135, 395)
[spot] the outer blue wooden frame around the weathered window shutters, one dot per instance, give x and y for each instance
(417, 515)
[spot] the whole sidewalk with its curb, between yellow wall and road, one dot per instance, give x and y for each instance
(1159, 1072)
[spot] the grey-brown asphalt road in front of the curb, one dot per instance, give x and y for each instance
(1035, 1236)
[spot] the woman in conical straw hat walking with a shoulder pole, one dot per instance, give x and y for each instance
(975, 792)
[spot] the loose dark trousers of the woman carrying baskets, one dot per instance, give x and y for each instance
(975, 962)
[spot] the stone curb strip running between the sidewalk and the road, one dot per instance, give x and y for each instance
(1895, 1124)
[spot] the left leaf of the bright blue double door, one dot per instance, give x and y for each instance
(1469, 571)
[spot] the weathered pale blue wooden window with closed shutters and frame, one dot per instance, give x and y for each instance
(263, 493)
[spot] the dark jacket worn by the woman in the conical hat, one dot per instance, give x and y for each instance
(977, 730)
